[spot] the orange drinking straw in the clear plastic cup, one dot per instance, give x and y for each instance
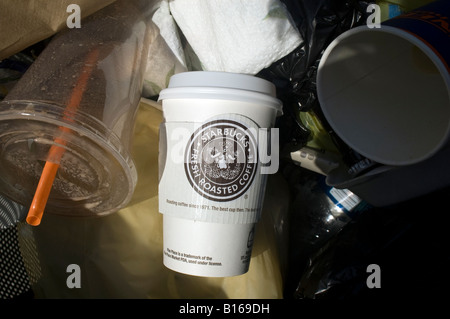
(56, 151)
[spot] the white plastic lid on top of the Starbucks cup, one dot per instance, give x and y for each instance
(222, 85)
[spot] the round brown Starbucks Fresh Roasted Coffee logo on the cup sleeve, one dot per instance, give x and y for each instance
(221, 160)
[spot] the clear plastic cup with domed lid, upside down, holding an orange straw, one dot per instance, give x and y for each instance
(80, 97)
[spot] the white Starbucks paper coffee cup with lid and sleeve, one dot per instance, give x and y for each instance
(212, 180)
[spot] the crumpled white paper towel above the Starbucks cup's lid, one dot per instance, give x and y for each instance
(234, 35)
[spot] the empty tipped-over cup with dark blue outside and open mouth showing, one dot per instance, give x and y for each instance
(385, 91)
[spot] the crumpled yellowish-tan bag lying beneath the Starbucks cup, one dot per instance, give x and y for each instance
(120, 255)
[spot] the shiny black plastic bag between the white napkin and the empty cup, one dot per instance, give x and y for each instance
(319, 23)
